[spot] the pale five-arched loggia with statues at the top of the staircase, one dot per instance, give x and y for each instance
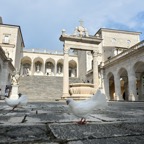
(47, 64)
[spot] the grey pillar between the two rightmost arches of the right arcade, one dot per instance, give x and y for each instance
(132, 85)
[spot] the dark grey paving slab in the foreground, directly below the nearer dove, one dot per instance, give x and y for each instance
(76, 132)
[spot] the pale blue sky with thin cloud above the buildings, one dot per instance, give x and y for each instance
(42, 21)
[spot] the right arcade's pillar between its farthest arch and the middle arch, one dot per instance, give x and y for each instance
(118, 95)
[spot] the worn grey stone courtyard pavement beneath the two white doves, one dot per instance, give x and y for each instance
(51, 122)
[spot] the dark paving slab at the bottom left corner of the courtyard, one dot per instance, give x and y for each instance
(19, 133)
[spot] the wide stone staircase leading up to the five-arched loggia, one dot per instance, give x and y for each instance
(43, 88)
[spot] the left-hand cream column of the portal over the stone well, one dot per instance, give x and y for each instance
(66, 73)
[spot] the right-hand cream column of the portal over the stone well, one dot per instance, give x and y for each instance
(95, 69)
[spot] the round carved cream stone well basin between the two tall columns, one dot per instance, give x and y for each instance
(81, 90)
